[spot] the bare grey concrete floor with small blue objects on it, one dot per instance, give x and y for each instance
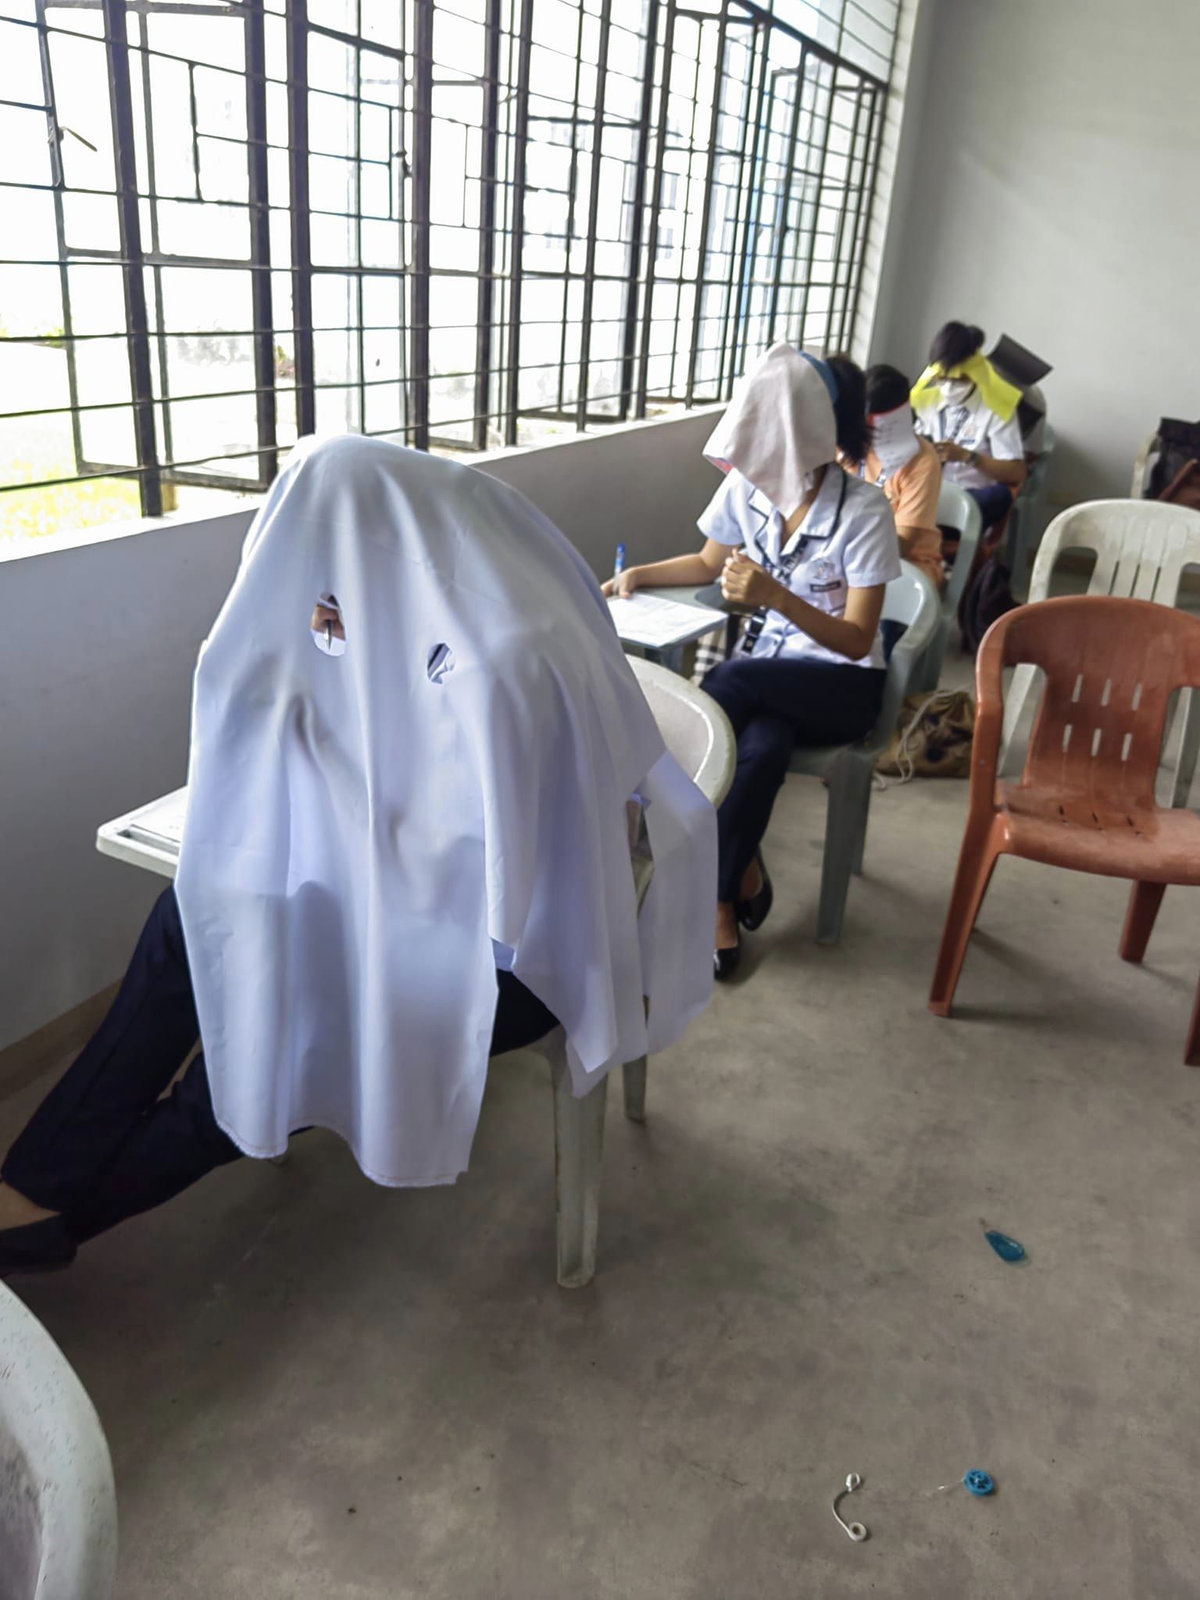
(314, 1388)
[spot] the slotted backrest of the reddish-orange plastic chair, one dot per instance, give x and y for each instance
(1111, 670)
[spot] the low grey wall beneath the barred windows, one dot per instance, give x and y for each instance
(98, 649)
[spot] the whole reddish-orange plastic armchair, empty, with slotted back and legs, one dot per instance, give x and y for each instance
(1086, 799)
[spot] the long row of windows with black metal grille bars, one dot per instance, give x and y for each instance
(452, 223)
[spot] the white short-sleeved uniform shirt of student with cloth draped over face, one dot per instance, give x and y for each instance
(847, 542)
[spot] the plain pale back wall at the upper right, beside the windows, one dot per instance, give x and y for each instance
(1057, 166)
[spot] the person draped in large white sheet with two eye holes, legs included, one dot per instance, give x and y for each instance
(415, 743)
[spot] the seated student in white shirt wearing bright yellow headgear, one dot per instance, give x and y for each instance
(970, 414)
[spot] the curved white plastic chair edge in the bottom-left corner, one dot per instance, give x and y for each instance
(58, 1506)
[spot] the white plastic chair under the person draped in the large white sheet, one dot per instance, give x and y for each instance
(698, 735)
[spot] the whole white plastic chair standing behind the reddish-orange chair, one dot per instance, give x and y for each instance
(1142, 551)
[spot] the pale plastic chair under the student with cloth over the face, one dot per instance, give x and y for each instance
(849, 769)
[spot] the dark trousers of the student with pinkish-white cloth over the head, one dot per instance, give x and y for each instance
(777, 703)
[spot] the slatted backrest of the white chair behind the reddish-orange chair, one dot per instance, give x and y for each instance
(1142, 548)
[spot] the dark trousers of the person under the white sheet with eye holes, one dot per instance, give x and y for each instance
(108, 1143)
